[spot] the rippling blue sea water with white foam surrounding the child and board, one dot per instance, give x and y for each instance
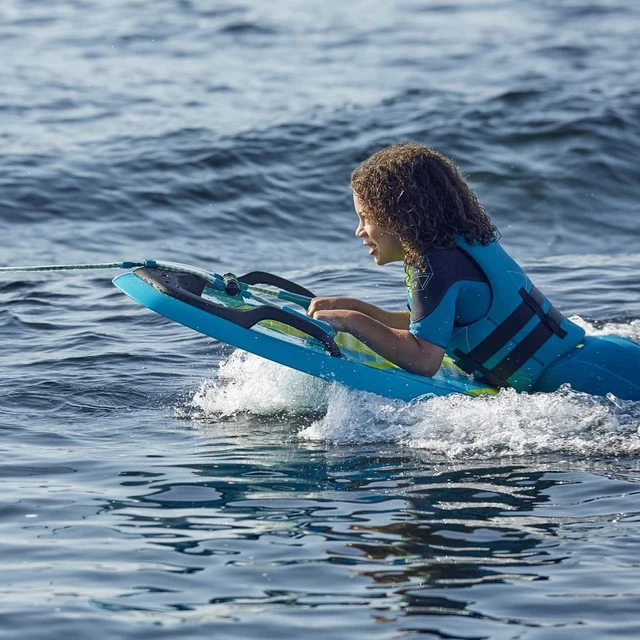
(157, 485)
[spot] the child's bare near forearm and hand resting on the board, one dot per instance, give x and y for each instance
(396, 345)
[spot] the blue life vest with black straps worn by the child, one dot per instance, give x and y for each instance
(521, 334)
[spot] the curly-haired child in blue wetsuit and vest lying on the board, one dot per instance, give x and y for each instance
(467, 297)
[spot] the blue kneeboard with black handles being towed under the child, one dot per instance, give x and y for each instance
(284, 335)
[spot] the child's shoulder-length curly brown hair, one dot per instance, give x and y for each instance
(419, 195)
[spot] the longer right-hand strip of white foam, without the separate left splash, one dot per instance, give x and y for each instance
(509, 424)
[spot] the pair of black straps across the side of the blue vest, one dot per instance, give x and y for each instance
(530, 306)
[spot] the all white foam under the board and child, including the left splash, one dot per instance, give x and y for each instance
(455, 426)
